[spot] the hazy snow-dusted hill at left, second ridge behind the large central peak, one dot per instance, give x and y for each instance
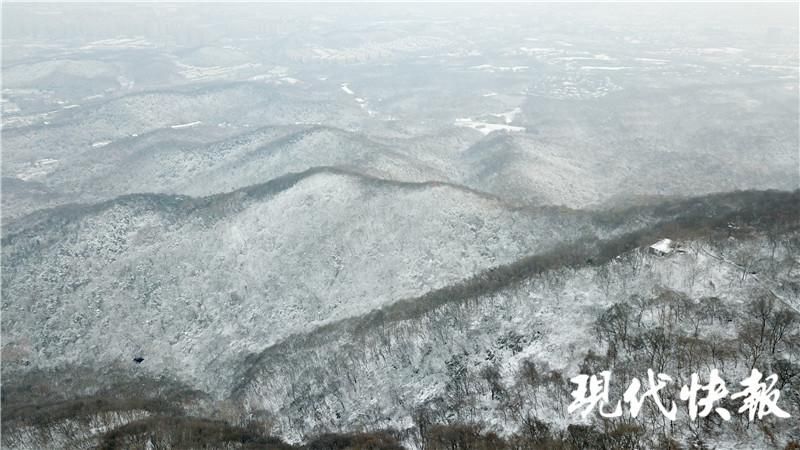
(240, 105)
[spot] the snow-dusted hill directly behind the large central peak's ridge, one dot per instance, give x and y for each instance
(171, 161)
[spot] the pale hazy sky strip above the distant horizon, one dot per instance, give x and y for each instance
(736, 16)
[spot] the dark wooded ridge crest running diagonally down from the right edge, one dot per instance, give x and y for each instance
(704, 216)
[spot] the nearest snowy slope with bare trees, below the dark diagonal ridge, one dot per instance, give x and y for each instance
(433, 354)
